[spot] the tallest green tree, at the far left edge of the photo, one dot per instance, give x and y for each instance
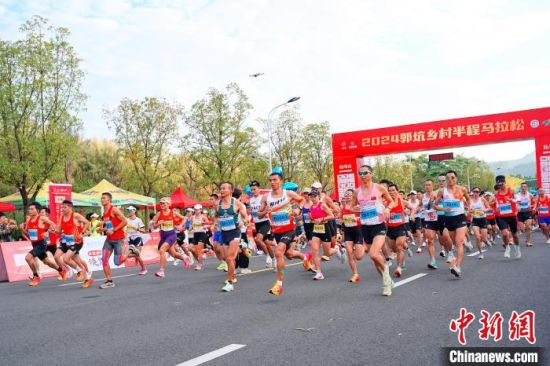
(40, 97)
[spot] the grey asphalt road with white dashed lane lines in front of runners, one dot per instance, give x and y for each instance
(152, 321)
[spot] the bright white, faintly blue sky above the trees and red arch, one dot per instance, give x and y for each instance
(357, 64)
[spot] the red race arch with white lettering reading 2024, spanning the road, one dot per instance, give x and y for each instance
(534, 124)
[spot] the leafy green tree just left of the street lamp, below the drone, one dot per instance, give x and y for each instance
(218, 141)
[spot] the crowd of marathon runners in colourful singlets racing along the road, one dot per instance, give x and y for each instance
(376, 219)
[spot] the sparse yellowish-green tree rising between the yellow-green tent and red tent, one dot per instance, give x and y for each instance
(146, 130)
